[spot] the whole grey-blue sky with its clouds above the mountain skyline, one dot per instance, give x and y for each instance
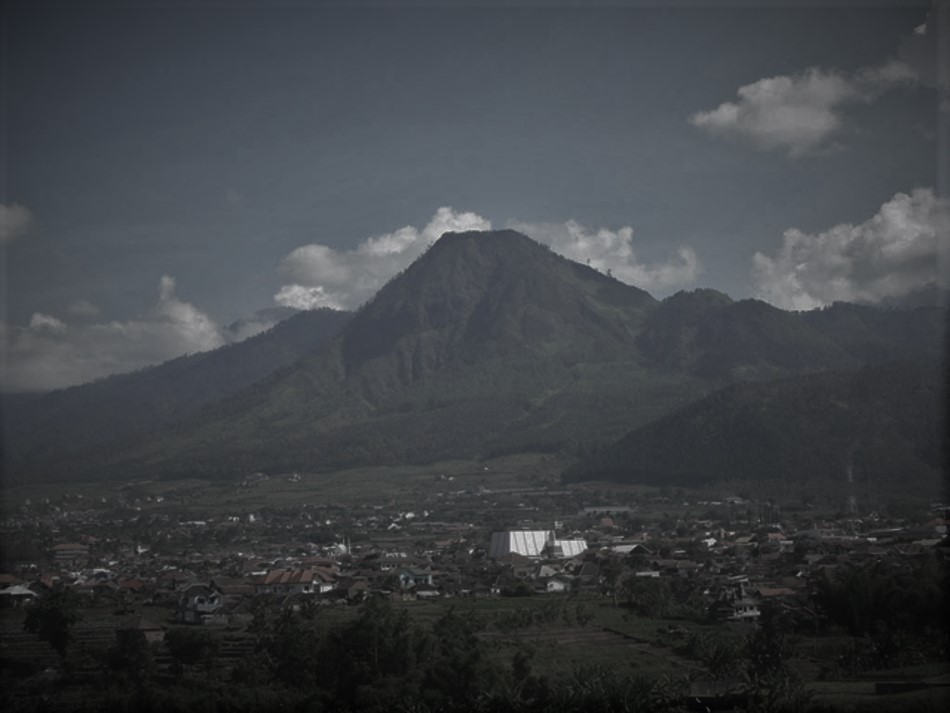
(170, 167)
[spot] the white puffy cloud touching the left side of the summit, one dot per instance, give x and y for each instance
(319, 276)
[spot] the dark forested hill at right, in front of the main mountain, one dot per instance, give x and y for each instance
(887, 422)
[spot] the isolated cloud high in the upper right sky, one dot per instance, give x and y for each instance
(799, 114)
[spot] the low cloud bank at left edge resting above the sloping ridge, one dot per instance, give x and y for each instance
(51, 353)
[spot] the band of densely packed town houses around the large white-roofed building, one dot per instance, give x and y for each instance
(208, 568)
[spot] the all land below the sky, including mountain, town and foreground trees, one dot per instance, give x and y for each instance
(507, 482)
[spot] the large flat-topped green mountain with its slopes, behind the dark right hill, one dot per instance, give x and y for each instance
(488, 343)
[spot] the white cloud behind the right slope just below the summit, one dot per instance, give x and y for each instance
(612, 252)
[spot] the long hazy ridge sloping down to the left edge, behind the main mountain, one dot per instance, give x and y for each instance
(50, 426)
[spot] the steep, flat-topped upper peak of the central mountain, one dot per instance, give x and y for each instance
(477, 288)
